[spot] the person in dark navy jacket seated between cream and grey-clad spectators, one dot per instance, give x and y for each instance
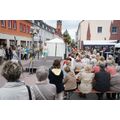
(102, 82)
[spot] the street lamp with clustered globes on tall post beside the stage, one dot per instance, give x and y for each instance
(33, 32)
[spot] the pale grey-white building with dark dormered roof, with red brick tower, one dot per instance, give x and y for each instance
(46, 32)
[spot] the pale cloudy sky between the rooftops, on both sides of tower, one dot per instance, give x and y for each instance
(70, 25)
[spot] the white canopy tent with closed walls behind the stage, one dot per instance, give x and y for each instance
(56, 47)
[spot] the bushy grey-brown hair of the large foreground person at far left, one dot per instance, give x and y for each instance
(11, 71)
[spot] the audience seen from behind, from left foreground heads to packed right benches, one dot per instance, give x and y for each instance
(82, 70)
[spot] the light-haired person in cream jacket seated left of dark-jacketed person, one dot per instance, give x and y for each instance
(86, 80)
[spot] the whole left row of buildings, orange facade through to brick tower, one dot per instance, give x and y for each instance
(17, 32)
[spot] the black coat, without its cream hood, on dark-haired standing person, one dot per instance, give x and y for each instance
(57, 80)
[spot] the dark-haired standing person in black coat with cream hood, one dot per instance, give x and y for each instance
(56, 78)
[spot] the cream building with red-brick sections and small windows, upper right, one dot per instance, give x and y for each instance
(98, 30)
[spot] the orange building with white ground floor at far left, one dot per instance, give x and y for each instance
(15, 32)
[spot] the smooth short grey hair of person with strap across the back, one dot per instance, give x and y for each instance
(42, 73)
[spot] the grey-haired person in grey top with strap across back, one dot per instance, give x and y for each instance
(43, 89)
